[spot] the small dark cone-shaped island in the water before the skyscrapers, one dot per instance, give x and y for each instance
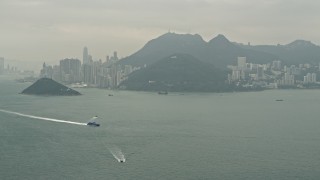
(49, 87)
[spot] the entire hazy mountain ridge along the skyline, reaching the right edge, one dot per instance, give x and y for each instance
(219, 51)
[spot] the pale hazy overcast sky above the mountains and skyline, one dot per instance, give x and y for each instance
(35, 31)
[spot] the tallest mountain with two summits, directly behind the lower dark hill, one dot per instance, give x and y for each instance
(219, 51)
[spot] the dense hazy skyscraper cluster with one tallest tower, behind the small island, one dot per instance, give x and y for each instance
(107, 74)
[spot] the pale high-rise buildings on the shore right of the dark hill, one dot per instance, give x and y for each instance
(273, 75)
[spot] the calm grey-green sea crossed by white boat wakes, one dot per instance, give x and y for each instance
(176, 136)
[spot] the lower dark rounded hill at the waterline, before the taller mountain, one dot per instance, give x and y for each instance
(178, 72)
